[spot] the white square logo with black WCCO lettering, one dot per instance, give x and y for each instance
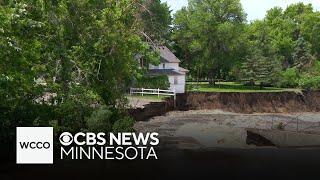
(34, 145)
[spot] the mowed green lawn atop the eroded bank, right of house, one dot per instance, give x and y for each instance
(233, 87)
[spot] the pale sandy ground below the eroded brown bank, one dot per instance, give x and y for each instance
(215, 128)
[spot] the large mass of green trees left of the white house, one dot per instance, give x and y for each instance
(81, 51)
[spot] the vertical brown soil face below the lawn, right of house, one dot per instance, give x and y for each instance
(274, 102)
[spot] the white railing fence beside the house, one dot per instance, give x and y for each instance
(159, 92)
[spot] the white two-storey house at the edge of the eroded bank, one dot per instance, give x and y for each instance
(169, 65)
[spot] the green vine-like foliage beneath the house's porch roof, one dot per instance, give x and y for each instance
(153, 82)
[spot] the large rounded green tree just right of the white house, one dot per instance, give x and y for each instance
(209, 36)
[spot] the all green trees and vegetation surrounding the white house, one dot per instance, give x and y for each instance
(69, 63)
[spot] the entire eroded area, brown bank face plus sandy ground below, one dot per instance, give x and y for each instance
(207, 120)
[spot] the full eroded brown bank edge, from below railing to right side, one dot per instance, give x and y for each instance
(274, 102)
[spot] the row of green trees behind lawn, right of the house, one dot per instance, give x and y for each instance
(214, 41)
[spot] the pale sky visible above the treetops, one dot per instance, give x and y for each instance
(256, 9)
